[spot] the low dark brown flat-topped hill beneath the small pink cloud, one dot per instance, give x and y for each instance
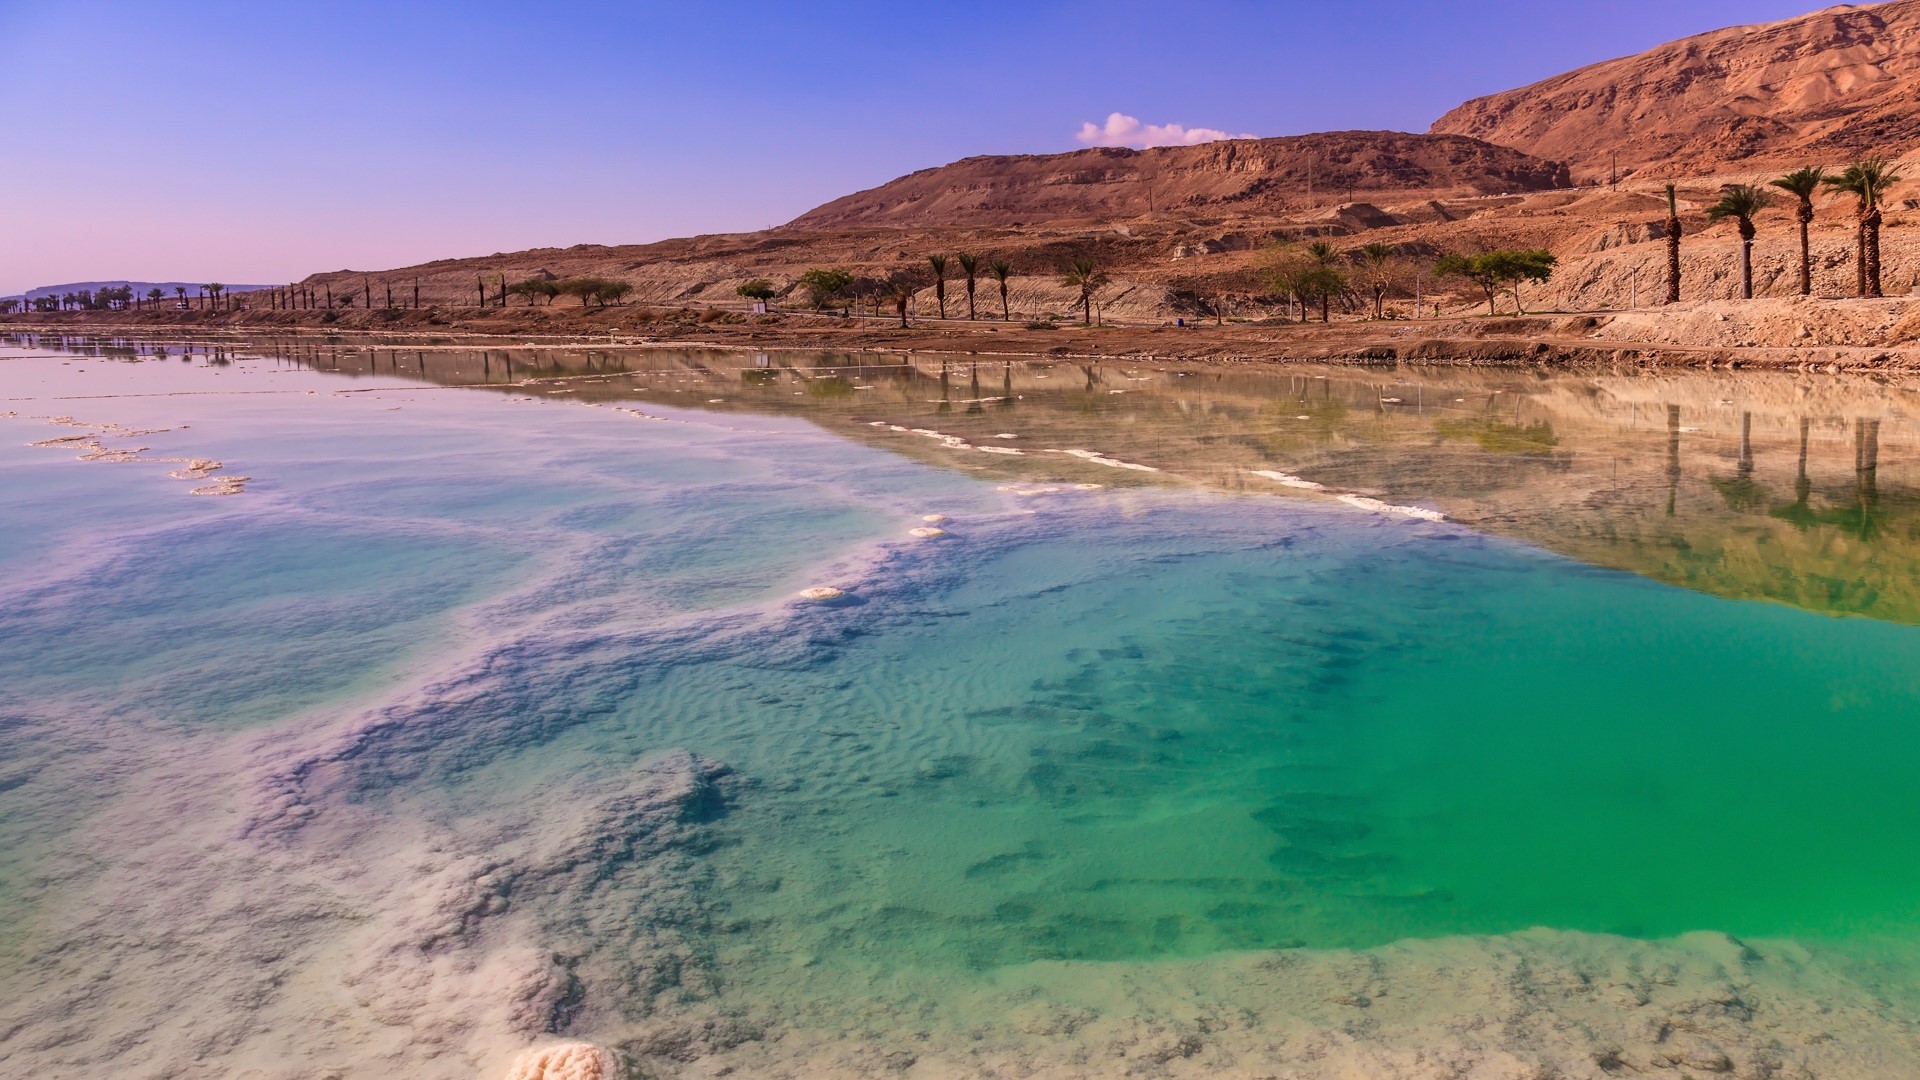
(1236, 178)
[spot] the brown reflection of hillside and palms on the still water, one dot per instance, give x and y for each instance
(1764, 487)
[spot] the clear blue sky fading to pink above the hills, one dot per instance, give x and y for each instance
(270, 141)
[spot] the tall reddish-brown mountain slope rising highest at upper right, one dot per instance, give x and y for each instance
(1817, 89)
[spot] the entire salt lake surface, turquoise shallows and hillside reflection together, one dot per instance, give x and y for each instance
(487, 716)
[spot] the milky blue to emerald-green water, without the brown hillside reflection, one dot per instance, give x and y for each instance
(1099, 725)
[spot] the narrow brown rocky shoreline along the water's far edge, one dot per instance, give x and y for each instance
(1783, 335)
